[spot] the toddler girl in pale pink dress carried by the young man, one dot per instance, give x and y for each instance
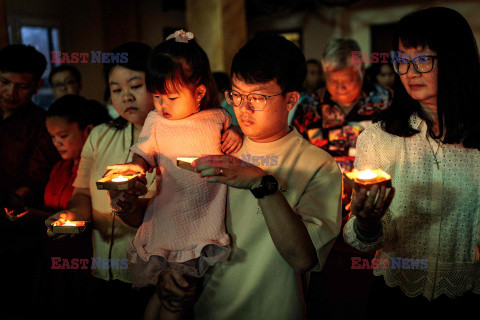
(183, 227)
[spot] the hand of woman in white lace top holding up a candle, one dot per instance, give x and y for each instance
(370, 205)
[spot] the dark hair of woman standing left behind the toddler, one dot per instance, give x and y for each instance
(136, 54)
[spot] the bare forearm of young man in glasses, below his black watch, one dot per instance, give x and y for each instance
(288, 232)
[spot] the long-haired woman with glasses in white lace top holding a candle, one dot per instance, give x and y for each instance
(427, 238)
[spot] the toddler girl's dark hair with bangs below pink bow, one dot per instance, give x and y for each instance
(173, 65)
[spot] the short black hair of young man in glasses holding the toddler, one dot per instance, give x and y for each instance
(271, 57)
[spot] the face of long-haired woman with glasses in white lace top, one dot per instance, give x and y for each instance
(421, 86)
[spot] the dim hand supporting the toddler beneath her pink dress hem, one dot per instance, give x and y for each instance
(175, 293)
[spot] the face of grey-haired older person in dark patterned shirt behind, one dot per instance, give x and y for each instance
(344, 86)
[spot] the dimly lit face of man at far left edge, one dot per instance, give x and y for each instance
(17, 89)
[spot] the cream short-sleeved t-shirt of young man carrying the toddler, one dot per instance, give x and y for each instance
(256, 282)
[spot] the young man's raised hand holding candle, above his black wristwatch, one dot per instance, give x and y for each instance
(230, 171)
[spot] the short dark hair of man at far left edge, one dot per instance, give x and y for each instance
(19, 58)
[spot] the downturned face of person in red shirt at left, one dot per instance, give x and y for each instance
(67, 137)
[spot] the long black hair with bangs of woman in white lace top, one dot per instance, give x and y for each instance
(458, 77)
